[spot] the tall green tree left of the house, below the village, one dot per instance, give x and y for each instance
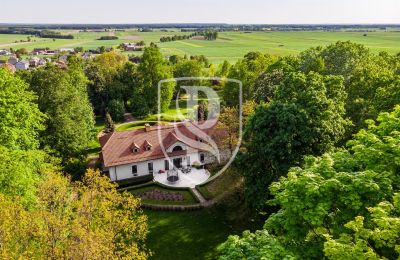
(62, 96)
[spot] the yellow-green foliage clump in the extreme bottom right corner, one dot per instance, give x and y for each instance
(369, 239)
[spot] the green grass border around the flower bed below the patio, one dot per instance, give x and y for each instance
(188, 197)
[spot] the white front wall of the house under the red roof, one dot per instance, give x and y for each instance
(121, 172)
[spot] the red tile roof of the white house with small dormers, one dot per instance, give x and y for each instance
(117, 148)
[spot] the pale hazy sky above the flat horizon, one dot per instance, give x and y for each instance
(201, 11)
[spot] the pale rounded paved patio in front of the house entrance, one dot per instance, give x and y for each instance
(195, 177)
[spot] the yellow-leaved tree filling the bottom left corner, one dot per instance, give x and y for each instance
(88, 219)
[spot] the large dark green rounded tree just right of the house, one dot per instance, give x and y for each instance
(305, 118)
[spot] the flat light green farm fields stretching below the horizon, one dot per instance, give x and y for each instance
(229, 45)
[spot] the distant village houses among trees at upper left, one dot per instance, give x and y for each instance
(41, 56)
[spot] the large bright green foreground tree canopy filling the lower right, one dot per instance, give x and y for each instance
(342, 205)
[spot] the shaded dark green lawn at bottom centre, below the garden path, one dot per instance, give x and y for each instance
(186, 235)
